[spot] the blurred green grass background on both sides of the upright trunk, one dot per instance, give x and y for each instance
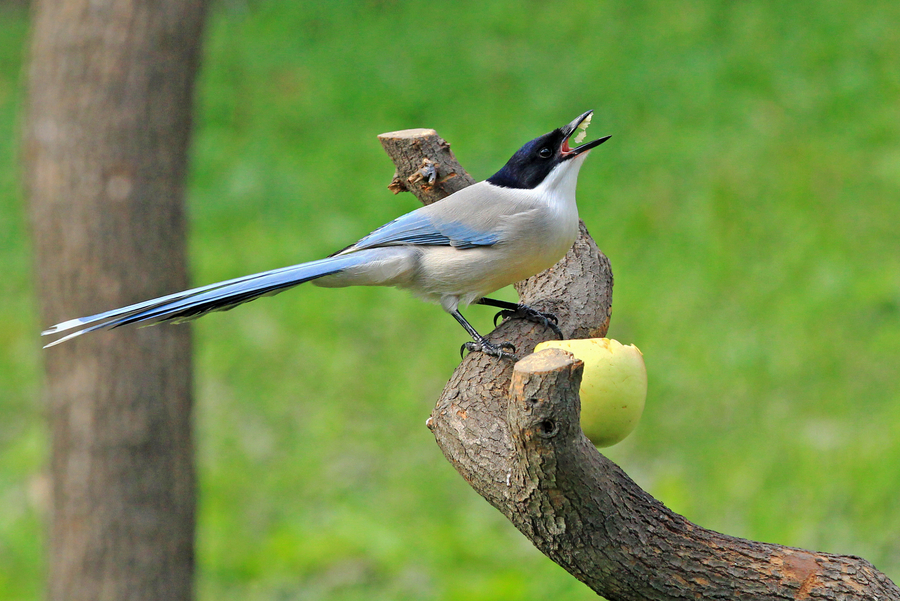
(749, 201)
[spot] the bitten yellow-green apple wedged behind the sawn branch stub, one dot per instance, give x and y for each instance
(613, 387)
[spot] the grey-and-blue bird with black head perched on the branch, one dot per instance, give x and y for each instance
(455, 252)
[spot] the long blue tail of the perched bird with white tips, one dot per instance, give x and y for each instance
(190, 304)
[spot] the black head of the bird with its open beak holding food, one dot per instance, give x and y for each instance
(534, 161)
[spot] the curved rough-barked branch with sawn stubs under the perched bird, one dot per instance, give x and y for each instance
(513, 432)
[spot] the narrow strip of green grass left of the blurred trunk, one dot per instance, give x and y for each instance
(23, 436)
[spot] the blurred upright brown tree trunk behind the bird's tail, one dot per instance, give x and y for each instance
(106, 138)
